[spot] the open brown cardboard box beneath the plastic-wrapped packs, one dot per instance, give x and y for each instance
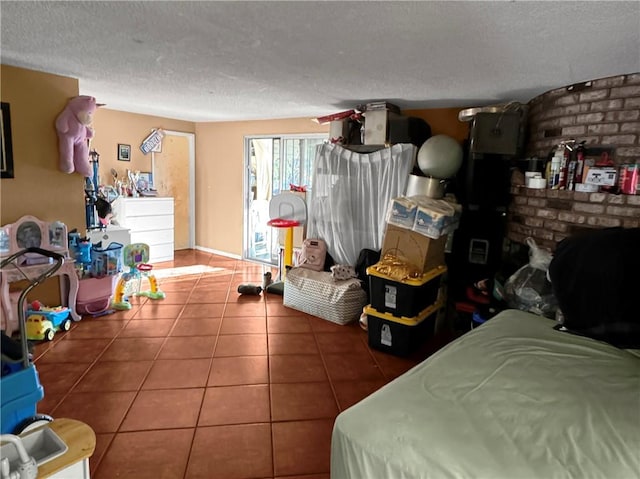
(414, 248)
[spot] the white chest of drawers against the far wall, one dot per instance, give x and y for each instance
(150, 221)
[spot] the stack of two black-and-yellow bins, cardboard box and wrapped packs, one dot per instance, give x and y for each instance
(405, 302)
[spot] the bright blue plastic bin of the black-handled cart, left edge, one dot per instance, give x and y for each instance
(19, 394)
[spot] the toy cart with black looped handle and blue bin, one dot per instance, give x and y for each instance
(20, 388)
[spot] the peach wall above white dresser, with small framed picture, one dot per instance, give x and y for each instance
(113, 127)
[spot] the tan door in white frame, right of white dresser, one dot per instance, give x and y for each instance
(173, 170)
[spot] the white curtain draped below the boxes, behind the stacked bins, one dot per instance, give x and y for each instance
(350, 196)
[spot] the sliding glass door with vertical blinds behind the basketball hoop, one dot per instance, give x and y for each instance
(273, 164)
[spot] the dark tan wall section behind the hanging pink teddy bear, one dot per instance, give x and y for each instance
(39, 188)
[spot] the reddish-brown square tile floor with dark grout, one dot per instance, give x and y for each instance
(208, 383)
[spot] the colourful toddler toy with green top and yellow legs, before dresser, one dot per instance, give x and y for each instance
(136, 257)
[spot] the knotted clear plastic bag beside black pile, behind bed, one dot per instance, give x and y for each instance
(529, 289)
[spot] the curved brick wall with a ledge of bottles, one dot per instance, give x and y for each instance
(603, 112)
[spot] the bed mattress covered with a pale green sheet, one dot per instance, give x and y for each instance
(513, 398)
